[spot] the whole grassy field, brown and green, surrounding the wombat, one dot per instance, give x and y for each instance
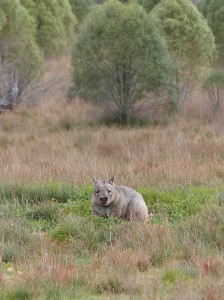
(51, 247)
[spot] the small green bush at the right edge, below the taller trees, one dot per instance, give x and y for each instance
(214, 86)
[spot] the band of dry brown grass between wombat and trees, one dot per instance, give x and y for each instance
(54, 141)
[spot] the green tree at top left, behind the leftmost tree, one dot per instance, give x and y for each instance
(54, 23)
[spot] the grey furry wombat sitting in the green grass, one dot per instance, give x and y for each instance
(110, 200)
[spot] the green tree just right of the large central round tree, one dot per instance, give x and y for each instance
(188, 37)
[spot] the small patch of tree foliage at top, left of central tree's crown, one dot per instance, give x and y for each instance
(81, 8)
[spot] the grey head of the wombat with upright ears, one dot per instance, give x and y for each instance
(104, 191)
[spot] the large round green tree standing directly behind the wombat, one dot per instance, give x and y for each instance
(118, 56)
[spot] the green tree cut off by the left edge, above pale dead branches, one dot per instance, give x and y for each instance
(20, 57)
